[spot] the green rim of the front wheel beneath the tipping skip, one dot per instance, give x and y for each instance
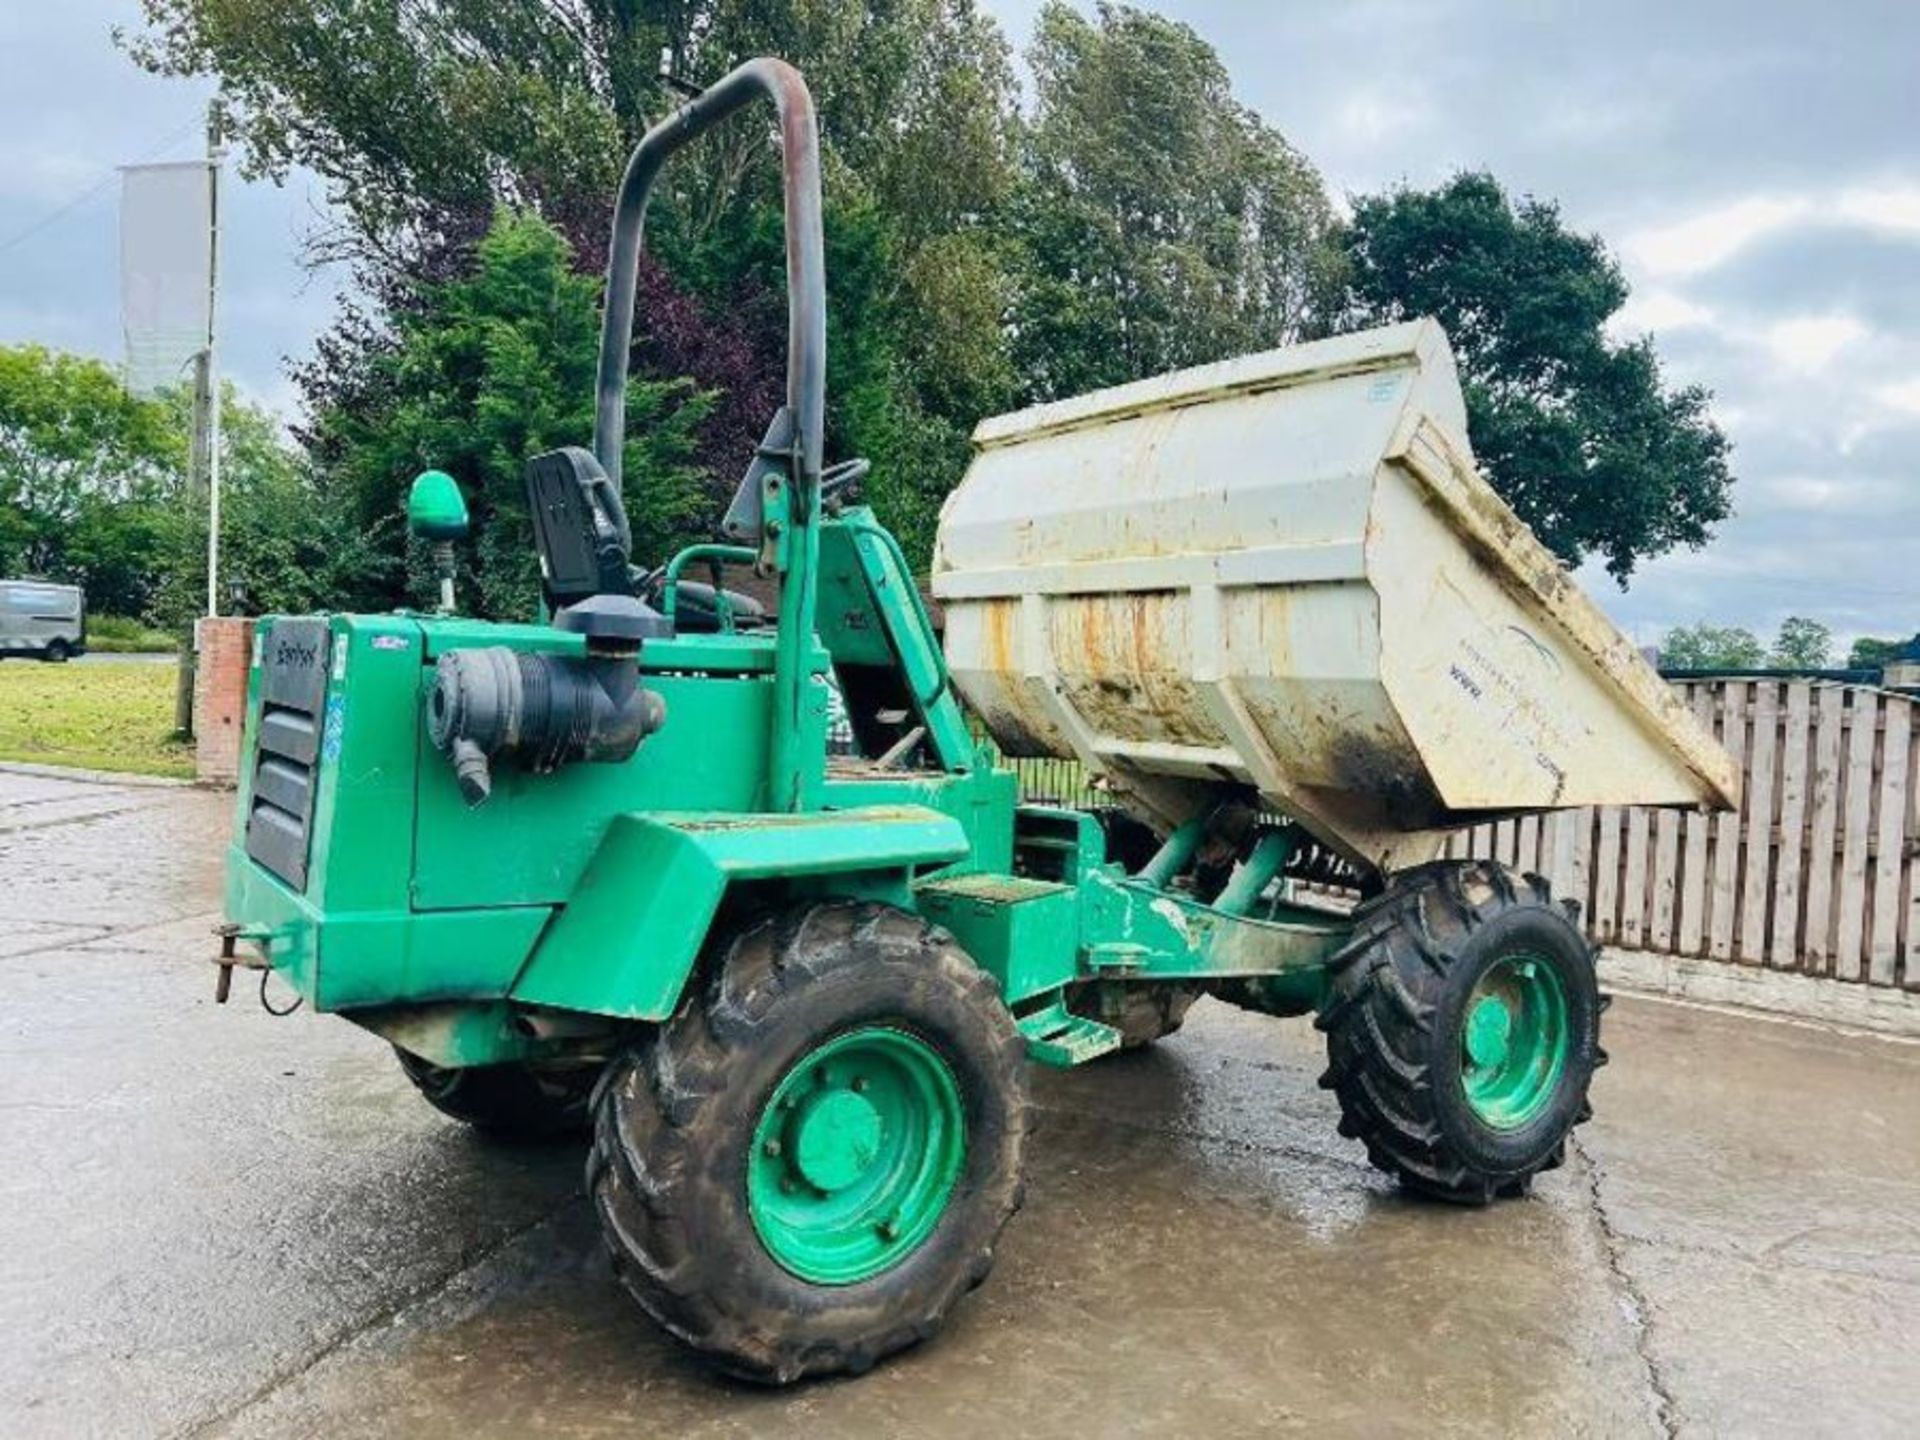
(1514, 1042)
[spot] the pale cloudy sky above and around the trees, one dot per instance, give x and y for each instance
(1756, 166)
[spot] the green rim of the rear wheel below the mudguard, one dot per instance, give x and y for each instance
(855, 1155)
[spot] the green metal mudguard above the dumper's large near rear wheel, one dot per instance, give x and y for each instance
(635, 926)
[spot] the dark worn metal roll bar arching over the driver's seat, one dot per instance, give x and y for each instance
(807, 287)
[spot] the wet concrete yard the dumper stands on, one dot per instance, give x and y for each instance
(214, 1222)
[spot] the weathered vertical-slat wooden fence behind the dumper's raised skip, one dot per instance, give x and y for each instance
(1813, 875)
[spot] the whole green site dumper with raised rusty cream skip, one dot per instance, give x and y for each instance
(600, 873)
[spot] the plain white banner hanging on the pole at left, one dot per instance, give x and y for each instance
(166, 270)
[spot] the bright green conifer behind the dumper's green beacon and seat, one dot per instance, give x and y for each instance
(479, 375)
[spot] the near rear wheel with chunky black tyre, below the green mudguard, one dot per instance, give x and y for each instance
(811, 1164)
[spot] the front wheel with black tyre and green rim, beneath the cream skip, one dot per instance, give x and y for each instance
(1464, 1030)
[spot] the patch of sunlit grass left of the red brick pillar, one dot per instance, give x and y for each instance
(93, 717)
